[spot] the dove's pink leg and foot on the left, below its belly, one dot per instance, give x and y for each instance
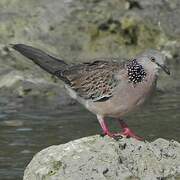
(105, 128)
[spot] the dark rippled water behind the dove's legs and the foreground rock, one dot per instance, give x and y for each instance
(26, 127)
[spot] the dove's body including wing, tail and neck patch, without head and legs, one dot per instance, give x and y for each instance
(109, 88)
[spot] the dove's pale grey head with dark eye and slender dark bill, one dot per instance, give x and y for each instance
(153, 61)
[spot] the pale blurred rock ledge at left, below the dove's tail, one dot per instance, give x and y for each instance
(19, 84)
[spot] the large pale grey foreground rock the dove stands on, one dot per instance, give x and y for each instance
(101, 158)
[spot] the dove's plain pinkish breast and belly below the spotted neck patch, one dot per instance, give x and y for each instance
(127, 96)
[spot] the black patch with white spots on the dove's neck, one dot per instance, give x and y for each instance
(136, 72)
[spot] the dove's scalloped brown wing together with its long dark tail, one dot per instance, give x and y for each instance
(94, 80)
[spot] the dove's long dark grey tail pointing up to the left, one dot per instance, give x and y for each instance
(44, 60)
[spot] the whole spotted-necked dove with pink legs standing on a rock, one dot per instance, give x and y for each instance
(106, 87)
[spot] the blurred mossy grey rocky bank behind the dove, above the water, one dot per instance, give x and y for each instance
(78, 31)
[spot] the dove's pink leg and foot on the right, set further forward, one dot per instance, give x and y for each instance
(127, 132)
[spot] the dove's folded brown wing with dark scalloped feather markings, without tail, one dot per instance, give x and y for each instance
(94, 81)
